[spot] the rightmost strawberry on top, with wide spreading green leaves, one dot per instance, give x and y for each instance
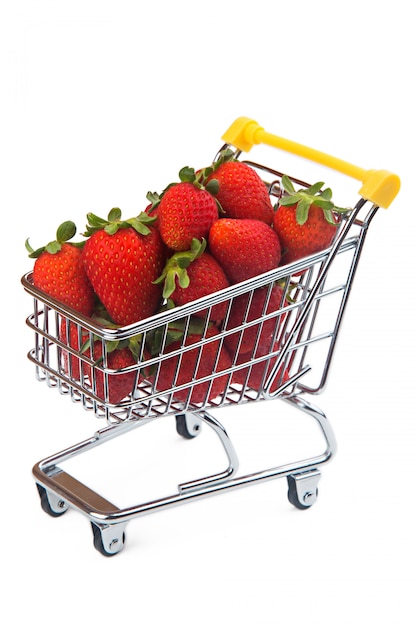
(306, 221)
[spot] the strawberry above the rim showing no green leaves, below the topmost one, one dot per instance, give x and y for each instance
(244, 248)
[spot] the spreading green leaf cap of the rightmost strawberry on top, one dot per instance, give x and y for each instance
(304, 198)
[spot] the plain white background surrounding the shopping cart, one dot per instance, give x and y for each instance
(103, 101)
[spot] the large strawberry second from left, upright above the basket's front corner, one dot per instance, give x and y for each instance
(122, 259)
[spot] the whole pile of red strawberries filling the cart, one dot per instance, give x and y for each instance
(213, 228)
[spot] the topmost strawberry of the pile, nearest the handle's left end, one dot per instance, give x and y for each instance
(241, 192)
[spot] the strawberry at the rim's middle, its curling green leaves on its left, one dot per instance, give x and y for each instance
(194, 274)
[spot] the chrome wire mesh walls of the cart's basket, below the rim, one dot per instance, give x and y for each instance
(190, 362)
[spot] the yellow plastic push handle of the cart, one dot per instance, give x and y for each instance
(378, 186)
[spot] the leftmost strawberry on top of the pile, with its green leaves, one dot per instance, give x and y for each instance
(59, 272)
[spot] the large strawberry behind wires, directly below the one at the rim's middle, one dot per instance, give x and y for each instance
(193, 364)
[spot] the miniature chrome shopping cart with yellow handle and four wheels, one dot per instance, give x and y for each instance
(305, 329)
